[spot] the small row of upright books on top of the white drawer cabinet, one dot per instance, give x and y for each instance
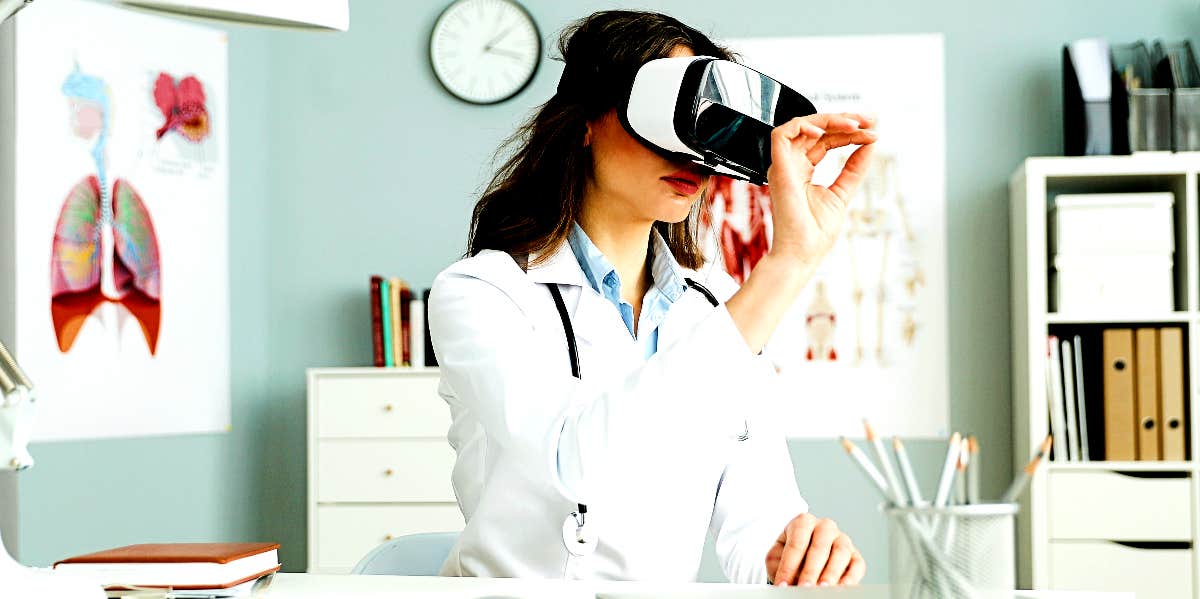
(399, 336)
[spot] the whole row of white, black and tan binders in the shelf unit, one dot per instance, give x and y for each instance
(1143, 391)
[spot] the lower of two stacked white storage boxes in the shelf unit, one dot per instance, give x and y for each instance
(1113, 284)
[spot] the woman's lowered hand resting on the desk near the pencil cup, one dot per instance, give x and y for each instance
(814, 552)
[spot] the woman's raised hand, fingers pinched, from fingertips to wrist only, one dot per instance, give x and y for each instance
(808, 218)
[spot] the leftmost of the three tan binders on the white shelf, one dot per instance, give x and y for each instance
(1120, 433)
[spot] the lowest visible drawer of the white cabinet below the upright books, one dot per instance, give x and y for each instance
(346, 534)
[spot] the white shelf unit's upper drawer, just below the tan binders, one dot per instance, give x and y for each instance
(1108, 506)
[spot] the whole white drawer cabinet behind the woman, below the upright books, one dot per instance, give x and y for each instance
(379, 463)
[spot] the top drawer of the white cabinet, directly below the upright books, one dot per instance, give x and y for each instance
(394, 405)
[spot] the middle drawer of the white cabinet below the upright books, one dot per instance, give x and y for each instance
(385, 471)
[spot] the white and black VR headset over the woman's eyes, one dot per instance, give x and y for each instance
(712, 112)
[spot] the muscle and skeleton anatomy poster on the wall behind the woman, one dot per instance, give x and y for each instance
(868, 338)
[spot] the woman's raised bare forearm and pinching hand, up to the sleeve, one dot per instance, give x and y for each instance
(807, 218)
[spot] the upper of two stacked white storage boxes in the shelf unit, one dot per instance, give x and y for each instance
(1113, 224)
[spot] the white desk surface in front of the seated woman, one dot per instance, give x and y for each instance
(317, 586)
